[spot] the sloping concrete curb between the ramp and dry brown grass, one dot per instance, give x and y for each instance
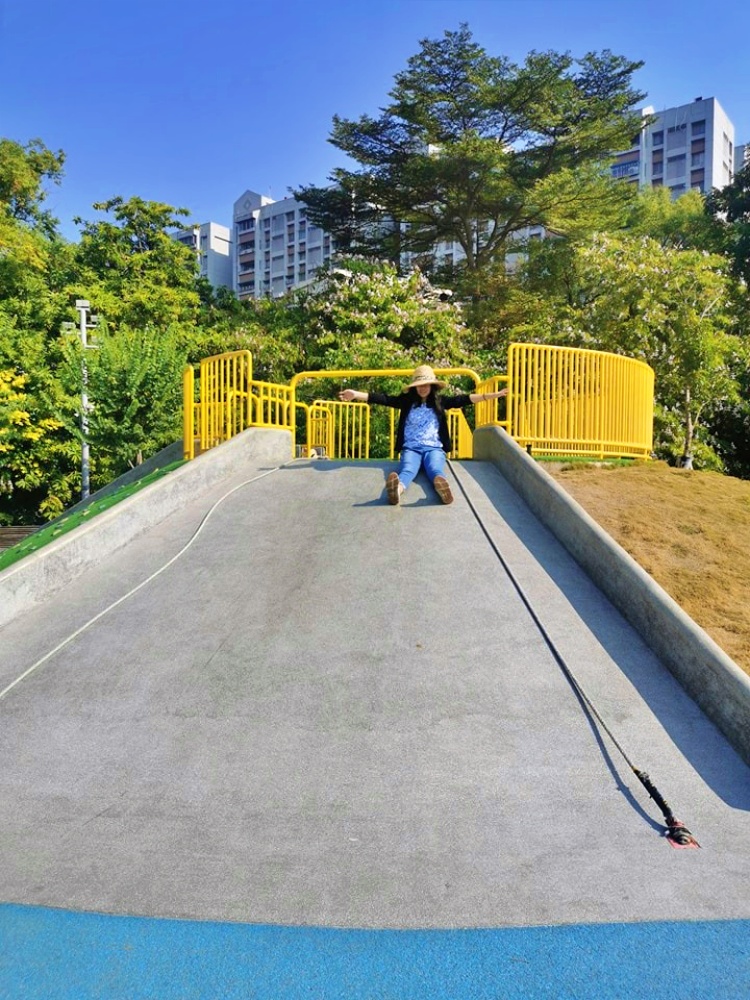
(711, 678)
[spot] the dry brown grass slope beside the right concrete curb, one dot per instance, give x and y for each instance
(689, 530)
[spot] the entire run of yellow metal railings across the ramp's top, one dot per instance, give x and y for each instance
(561, 401)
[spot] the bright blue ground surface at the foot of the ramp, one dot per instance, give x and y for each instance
(58, 955)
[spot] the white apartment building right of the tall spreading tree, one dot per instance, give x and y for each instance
(691, 146)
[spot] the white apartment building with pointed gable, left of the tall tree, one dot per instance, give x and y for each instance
(276, 248)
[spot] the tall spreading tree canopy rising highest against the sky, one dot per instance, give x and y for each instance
(474, 149)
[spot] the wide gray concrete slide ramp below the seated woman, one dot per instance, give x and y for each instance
(334, 712)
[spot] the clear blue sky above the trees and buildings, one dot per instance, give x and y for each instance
(190, 102)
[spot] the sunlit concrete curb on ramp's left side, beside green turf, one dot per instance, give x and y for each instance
(31, 580)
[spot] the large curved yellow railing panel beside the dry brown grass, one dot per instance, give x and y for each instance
(567, 401)
